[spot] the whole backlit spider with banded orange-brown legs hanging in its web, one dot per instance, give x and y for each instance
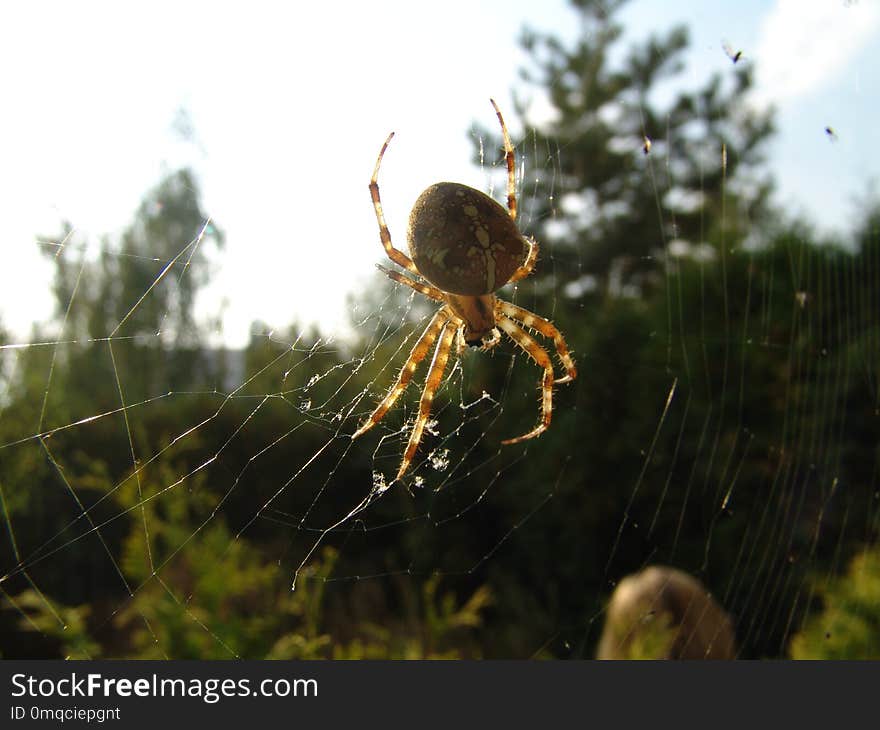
(464, 247)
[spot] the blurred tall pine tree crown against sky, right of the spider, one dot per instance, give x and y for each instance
(618, 172)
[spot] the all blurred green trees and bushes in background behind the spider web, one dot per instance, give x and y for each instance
(726, 419)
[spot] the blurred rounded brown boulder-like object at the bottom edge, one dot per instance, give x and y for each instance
(664, 613)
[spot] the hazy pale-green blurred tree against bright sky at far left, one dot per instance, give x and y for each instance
(138, 296)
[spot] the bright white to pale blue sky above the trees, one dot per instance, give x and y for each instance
(289, 104)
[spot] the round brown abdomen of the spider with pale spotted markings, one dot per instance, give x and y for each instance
(463, 241)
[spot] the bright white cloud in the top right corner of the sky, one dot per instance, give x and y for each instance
(805, 44)
